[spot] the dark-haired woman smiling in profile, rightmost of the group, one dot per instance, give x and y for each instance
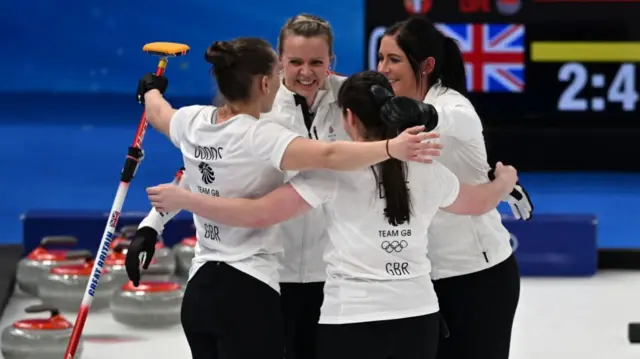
(474, 269)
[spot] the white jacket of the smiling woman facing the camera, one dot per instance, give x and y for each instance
(305, 237)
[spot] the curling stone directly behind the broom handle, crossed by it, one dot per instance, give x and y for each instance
(65, 285)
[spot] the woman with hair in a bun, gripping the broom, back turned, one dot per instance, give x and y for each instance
(231, 306)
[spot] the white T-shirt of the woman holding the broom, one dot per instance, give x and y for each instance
(237, 158)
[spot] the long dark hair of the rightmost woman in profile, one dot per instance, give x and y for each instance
(419, 39)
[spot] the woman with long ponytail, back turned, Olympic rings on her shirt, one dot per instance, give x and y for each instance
(379, 300)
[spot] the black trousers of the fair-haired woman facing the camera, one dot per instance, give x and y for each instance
(301, 304)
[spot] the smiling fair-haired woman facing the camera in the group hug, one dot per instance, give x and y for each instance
(307, 105)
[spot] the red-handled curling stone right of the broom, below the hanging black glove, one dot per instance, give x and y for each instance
(152, 304)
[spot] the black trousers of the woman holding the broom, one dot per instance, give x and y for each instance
(228, 314)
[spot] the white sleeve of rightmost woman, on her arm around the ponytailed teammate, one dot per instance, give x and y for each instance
(458, 121)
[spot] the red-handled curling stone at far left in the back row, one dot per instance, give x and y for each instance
(32, 269)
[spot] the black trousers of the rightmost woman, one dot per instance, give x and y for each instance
(479, 309)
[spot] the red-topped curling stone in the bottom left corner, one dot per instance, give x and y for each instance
(38, 338)
